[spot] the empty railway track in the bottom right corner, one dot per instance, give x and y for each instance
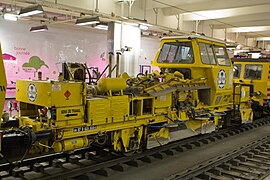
(251, 161)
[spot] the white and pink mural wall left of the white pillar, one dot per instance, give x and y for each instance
(59, 44)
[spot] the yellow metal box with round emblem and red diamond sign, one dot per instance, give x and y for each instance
(49, 93)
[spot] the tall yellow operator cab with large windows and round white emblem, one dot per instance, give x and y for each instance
(199, 57)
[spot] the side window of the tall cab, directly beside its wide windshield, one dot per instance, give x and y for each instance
(207, 54)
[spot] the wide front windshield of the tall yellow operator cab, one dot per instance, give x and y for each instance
(176, 53)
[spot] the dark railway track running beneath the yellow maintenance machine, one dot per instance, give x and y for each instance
(83, 163)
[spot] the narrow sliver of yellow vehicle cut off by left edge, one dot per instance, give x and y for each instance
(3, 82)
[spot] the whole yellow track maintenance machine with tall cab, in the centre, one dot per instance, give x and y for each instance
(192, 95)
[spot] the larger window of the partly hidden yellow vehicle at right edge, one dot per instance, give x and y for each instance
(253, 71)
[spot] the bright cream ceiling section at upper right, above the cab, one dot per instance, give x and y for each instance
(235, 15)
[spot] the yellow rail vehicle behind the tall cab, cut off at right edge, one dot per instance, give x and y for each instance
(256, 72)
